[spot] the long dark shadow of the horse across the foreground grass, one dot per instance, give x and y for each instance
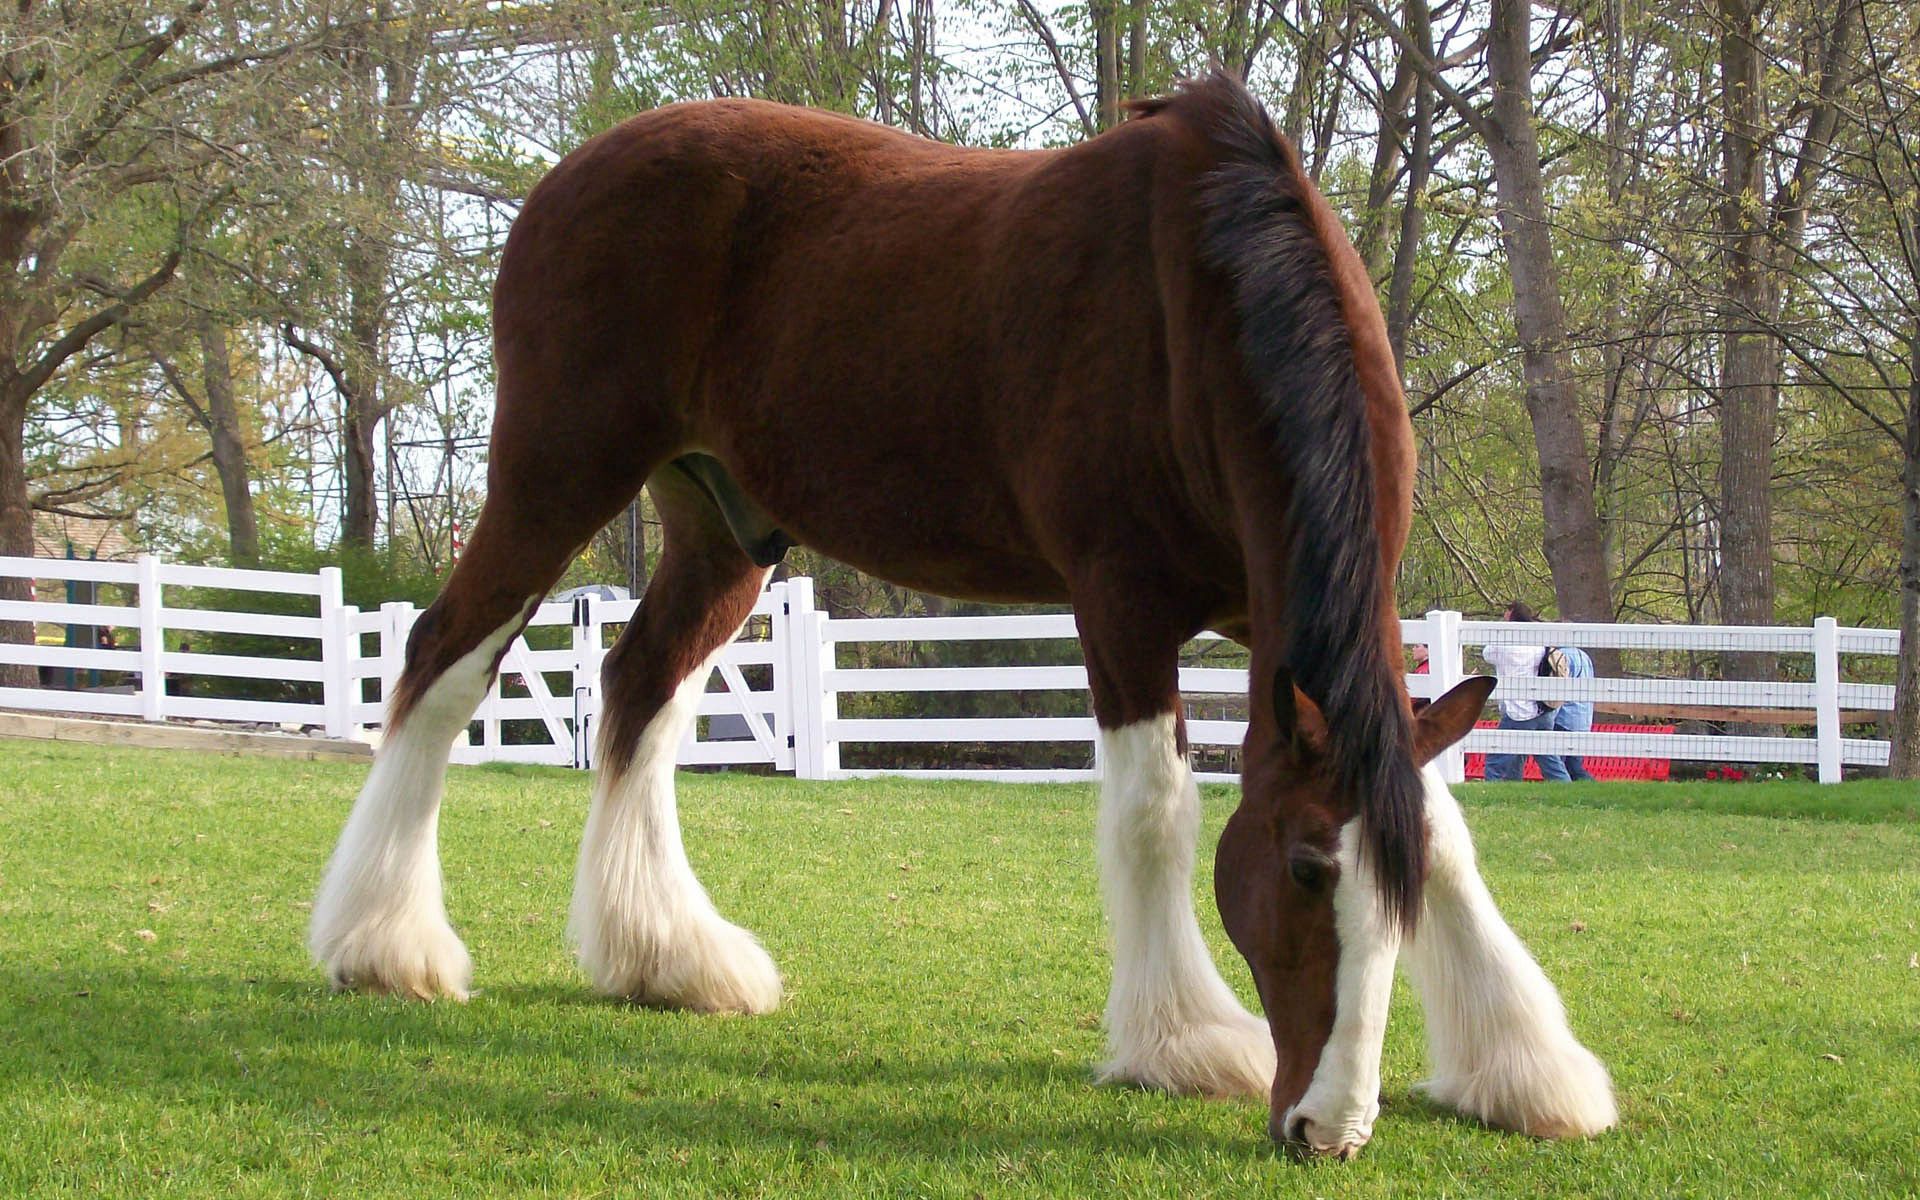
(289, 1049)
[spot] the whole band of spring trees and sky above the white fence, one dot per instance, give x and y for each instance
(1618, 249)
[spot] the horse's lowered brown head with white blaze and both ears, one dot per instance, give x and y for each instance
(1299, 903)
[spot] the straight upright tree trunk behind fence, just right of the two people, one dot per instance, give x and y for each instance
(1750, 354)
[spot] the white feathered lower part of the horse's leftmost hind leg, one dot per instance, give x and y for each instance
(379, 921)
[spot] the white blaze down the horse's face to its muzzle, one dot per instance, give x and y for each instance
(1345, 1097)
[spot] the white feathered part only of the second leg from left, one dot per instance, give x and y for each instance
(644, 924)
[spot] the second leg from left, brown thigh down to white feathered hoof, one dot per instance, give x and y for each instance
(644, 924)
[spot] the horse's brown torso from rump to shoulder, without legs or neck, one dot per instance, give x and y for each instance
(871, 329)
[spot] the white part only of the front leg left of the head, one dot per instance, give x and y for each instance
(1172, 1020)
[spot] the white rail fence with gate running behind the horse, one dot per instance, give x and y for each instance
(780, 684)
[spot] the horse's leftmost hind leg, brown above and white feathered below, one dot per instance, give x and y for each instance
(379, 923)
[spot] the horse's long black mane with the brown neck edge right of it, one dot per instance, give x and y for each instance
(1270, 233)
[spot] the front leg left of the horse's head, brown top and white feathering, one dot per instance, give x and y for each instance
(1172, 1022)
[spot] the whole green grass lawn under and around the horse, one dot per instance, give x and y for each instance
(1744, 959)
